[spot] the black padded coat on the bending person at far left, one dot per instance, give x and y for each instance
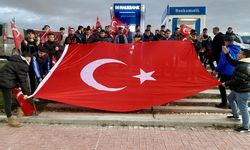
(15, 72)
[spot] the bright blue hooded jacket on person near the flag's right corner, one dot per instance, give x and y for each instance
(224, 66)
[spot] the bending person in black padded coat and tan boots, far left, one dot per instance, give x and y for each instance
(13, 73)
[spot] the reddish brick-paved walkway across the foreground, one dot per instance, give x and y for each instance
(71, 137)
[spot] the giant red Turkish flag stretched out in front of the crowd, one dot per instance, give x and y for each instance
(125, 77)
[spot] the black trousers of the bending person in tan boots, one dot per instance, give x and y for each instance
(7, 96)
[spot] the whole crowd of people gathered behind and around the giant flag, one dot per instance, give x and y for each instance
(221, 49)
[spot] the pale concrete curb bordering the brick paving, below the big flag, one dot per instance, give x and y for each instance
(145, 120)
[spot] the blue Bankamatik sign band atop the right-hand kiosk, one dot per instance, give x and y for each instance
(187, 11)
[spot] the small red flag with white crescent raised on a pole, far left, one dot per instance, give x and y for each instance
(17, 36)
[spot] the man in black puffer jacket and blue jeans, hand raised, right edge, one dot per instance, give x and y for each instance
(240, 85)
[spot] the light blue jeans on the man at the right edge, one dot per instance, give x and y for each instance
(240, 99)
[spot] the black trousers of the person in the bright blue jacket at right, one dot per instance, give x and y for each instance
(223, 94)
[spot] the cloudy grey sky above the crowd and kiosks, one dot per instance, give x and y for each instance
(56, 13)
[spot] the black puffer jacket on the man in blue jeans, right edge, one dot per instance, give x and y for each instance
(240, 81)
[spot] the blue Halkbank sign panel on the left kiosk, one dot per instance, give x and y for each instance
(128, 13)
